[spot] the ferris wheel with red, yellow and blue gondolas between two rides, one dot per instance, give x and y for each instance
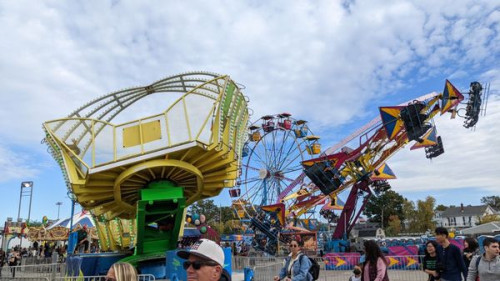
(271, 166)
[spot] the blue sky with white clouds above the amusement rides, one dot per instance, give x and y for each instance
(332, 63)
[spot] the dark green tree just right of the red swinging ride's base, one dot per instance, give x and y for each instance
(389, 203)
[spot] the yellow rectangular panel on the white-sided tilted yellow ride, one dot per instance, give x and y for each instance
(151, 131)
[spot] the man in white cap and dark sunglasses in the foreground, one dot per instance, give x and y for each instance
(204, 261)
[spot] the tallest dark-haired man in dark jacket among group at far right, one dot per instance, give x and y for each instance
(451, 266)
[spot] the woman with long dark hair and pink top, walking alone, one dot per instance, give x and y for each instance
(375, 265)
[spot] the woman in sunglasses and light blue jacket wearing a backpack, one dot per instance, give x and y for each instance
(296, 265)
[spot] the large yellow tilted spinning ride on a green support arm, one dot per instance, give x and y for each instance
(136, 178)
